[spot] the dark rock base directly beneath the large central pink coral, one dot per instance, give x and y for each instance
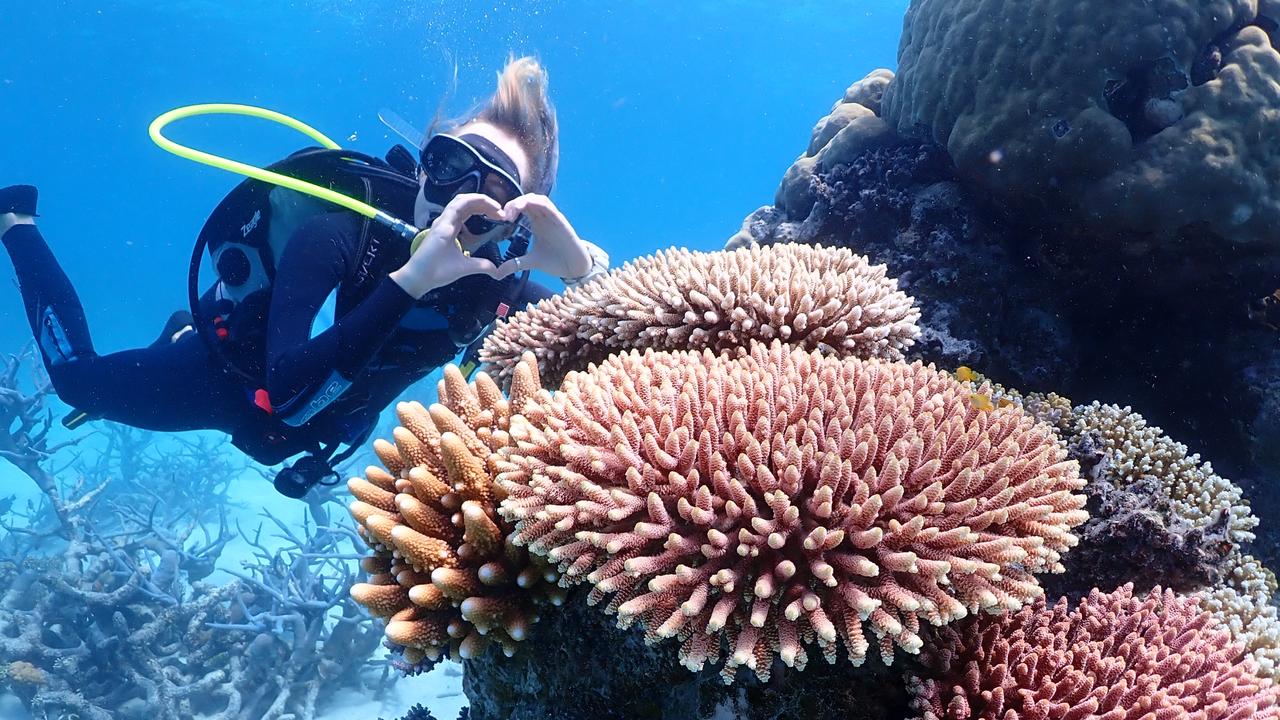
(578, 666)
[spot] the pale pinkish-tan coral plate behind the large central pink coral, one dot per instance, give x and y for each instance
(682, 300)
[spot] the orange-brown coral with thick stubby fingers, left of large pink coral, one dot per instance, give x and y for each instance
(444, 572)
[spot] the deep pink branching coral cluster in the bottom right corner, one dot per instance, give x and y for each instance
(1116, 657)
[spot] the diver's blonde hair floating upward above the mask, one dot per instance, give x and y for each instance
(523, 107)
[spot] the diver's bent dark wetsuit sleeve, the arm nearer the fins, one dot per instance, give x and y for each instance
(314, 263)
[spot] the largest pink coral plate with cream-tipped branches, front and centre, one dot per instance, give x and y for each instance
(753, 505)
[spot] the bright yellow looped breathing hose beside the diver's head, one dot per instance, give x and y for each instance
(401, 227)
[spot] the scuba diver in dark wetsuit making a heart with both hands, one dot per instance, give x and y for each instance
(267, 377)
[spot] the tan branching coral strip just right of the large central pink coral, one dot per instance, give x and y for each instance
(1135, 450)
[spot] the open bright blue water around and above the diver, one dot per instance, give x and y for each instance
(678, 119)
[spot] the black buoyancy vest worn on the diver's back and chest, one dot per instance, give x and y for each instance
(245, 239)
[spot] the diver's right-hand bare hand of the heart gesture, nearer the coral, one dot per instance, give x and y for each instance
(557, 250)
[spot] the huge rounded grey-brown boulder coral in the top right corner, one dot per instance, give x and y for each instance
(1151, 117)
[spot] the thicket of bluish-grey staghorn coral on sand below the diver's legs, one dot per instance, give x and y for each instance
(106, 608)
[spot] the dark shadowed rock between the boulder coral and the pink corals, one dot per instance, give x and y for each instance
(1178, 329)
